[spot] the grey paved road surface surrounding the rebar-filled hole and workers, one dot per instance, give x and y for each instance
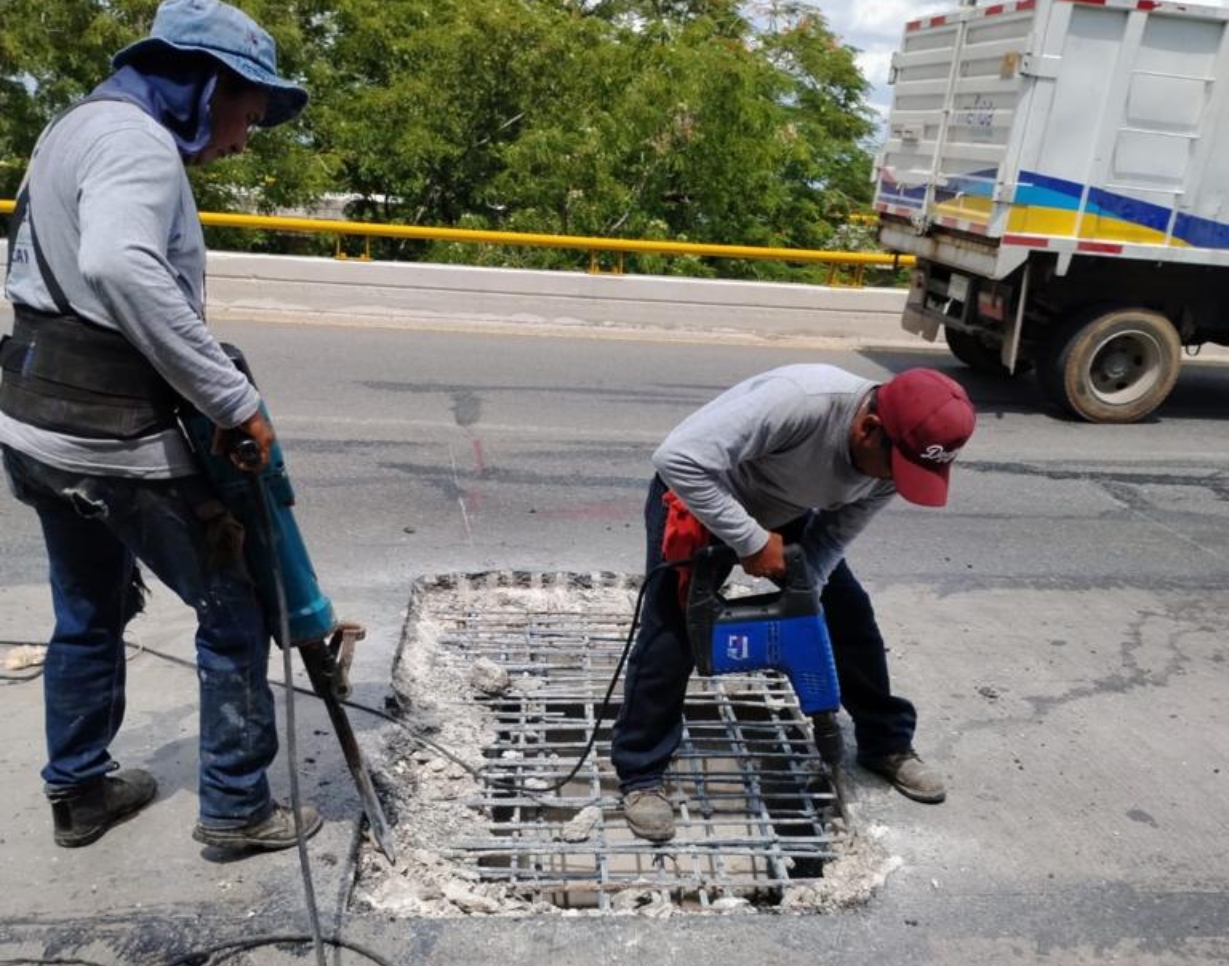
(1061, 626)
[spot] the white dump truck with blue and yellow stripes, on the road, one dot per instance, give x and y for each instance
(1061, 171)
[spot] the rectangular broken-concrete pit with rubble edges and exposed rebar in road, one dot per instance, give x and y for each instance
(507, 673)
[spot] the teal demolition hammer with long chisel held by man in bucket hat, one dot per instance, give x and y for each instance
(299, 614)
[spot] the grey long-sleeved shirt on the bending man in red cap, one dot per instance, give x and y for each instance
(771, 450)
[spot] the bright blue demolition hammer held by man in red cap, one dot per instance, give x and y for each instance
(782, 631)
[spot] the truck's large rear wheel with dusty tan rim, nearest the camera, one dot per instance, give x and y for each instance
(1113, 367)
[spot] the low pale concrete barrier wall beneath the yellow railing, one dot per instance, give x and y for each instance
(330, 292)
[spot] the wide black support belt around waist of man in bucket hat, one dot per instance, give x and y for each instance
(67, 375)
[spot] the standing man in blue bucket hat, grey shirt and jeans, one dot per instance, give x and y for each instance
(108, 281)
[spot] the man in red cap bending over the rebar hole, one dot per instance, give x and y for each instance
(804, 454)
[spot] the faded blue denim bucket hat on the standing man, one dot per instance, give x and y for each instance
(229, 36)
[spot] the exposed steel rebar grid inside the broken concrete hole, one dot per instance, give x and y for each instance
(747, 781)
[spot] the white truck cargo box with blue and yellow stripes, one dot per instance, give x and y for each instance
(1093, 127)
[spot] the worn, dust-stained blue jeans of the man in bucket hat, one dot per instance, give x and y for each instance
(96, 530)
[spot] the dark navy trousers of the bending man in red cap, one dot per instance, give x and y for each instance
(651, 722)
